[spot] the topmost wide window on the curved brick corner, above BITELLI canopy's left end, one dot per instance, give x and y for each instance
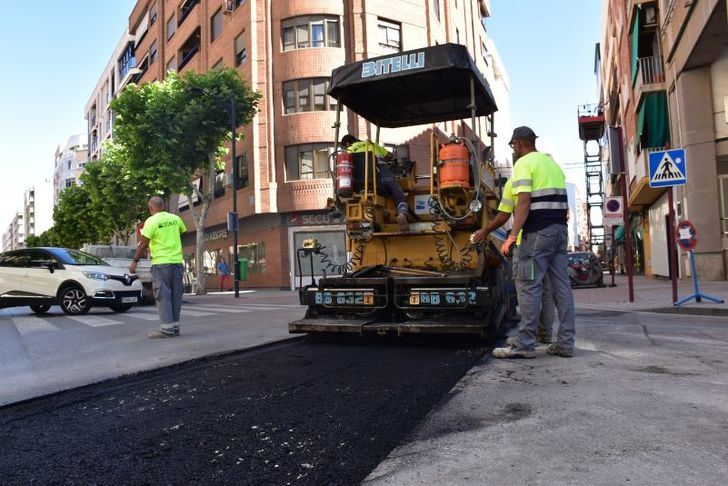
(310, 31)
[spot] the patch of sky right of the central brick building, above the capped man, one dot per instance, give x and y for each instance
(548, 50)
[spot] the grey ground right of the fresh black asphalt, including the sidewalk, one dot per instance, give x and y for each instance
(642, 402)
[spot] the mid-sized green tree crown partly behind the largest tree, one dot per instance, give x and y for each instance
(117, 193)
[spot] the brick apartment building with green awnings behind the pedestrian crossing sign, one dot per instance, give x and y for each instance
(664, 80)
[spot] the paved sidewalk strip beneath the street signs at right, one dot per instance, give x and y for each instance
(651, 294)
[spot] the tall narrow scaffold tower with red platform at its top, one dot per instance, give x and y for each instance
(591, 132)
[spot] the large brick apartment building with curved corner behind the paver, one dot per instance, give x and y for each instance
(286, 50)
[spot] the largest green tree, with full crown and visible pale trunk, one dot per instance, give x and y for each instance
(172, 131)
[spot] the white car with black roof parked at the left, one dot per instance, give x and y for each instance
(42, 277)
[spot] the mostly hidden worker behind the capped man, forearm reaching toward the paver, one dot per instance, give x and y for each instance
(544, 332)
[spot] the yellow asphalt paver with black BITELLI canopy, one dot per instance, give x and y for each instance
(429, 277)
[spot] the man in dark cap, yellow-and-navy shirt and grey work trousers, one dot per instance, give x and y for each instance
(541, 212)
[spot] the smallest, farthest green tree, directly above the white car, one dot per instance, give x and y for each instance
(75, 222)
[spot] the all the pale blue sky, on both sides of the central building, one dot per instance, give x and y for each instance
(53, 59)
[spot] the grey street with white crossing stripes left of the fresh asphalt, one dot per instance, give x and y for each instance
(40, 355)
